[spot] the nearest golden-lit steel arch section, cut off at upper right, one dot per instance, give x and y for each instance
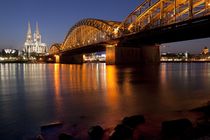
(155, 13)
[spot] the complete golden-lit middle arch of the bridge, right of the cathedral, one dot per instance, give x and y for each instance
(90, 31)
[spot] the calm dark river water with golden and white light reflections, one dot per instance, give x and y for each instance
(35, 94)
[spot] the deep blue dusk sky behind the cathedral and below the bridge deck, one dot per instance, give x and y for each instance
(55, 17)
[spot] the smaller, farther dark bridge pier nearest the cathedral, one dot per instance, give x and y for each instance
(71, 59)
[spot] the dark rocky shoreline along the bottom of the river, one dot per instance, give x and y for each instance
(137, 127)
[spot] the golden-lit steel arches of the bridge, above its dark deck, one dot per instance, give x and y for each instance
(148, 15)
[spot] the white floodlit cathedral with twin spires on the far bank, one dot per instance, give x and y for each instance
(33, 44)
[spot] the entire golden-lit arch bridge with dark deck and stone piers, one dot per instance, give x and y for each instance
(136, 39)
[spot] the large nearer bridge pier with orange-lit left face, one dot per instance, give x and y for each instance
(132, 55)
